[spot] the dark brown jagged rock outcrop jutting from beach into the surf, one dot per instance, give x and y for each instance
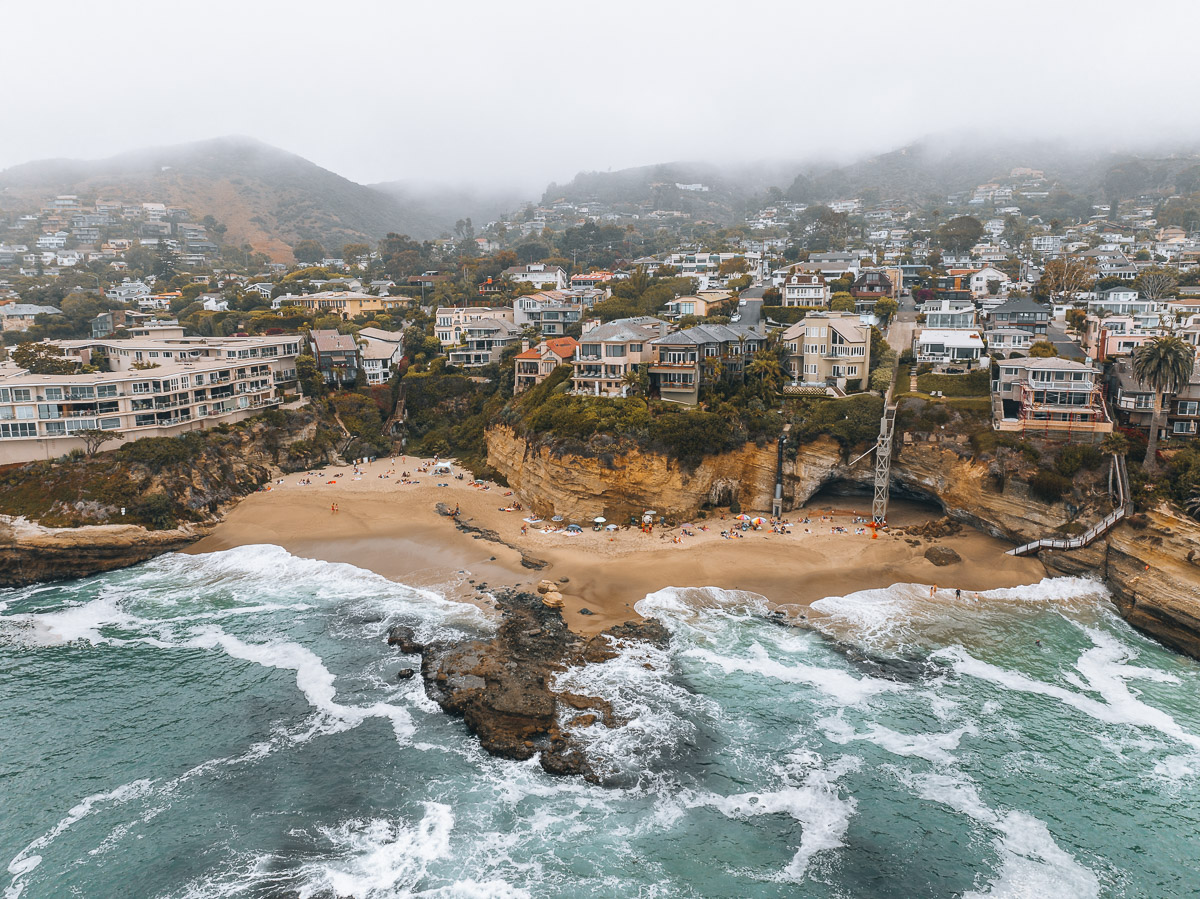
(505, 687)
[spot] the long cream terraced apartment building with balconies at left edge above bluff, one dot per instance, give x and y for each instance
(194, 383)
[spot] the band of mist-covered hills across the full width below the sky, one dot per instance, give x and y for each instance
(271, 199)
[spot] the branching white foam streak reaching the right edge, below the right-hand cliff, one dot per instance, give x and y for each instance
(1102, 672)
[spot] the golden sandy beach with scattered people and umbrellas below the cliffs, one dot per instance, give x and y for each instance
(394, 529)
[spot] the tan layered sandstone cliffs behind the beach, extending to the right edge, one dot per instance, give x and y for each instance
(1153, 571)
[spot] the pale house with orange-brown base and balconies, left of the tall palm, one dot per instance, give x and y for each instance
(1051, 398)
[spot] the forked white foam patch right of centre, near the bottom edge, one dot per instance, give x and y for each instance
(812, 796)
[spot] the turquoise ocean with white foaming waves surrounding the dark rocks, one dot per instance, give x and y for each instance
(231, 726)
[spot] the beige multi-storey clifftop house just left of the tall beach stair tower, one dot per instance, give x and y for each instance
(831, 352)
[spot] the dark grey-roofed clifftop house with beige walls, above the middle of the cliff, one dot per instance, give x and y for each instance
(686, 361)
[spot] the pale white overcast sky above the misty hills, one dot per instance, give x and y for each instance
(527, 92)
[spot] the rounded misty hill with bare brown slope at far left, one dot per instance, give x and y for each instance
(267, 197)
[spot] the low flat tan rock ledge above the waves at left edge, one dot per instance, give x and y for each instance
(31, 553)
